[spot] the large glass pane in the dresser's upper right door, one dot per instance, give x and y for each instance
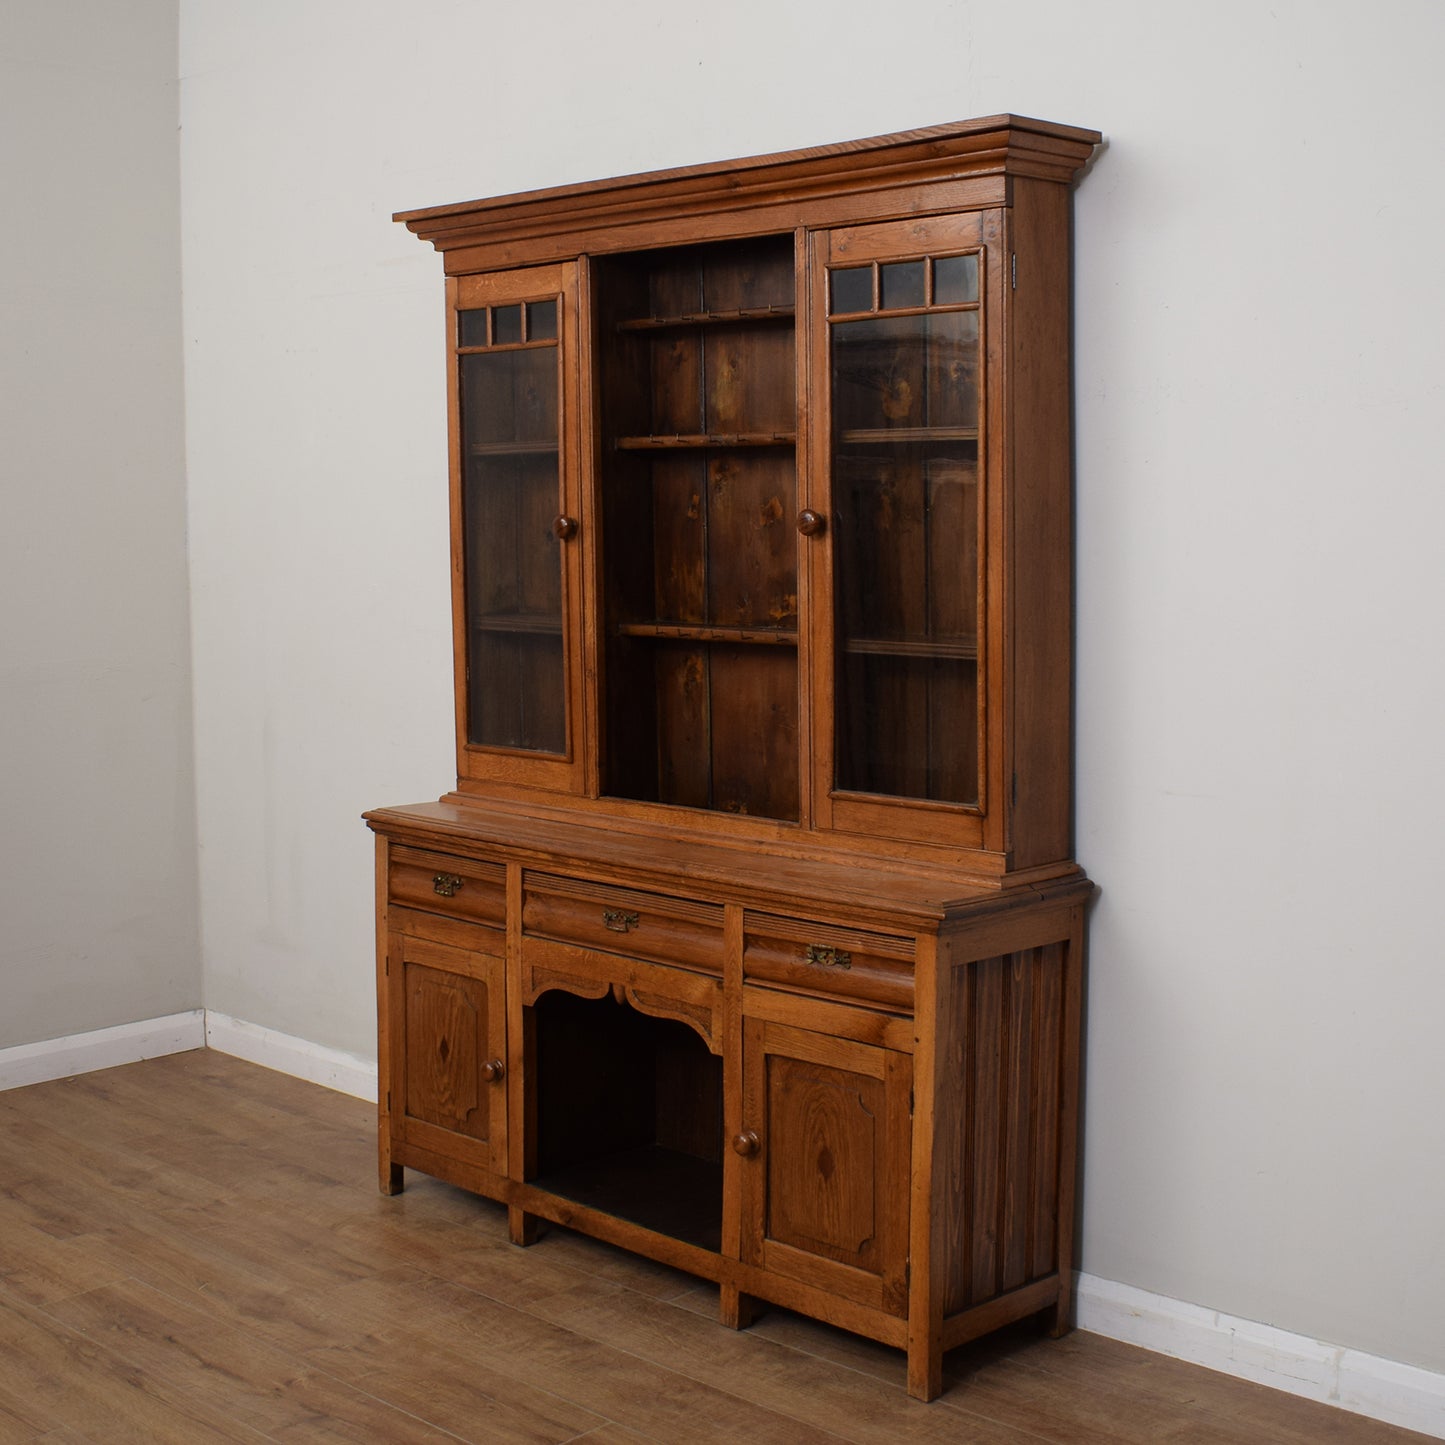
(905, 528)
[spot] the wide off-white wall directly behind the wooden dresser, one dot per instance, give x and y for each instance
(1259, 661)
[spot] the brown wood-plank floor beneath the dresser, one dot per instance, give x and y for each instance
(193, 1249)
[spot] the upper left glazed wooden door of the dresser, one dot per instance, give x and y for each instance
(518, 527)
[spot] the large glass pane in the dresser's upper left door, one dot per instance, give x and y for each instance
(511, 493)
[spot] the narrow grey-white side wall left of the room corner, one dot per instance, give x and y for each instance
(98, 850)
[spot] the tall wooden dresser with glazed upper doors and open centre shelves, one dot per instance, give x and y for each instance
(751, 937)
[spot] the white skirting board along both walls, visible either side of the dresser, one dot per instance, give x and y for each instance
(1363, 1384)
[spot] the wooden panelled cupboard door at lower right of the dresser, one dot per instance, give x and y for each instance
(826, 1174)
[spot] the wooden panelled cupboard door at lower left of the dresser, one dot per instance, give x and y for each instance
(450, 1048)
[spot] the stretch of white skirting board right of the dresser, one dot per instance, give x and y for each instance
(1363, 1384)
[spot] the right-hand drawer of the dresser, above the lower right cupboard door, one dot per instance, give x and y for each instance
(827, 962)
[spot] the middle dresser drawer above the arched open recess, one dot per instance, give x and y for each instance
(622, 921)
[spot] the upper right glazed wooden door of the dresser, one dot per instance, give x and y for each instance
(900, 569)
